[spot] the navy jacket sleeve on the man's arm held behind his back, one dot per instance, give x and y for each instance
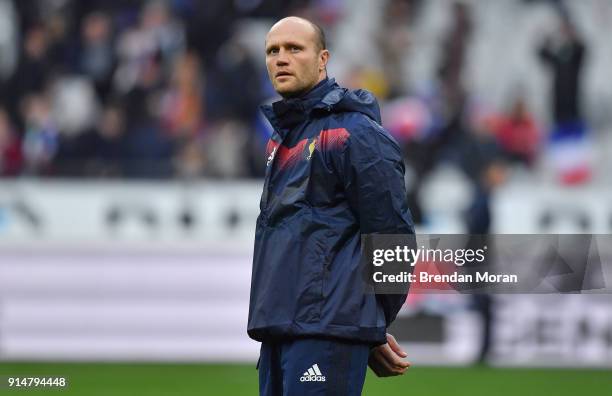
(373, 177)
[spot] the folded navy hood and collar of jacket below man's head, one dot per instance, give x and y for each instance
(326, 97)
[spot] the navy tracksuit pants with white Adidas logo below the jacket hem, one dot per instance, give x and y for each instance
(312, 367)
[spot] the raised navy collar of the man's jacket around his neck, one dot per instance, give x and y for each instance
(287, 113)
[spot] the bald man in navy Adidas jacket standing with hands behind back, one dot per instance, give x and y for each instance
(333, 173)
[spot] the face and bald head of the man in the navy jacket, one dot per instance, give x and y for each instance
(294, 61)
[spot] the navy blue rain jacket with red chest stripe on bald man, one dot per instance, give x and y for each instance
(333, 173)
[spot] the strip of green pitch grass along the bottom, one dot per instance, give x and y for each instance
(111, 379)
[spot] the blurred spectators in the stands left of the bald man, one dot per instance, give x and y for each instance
(128, 88)
